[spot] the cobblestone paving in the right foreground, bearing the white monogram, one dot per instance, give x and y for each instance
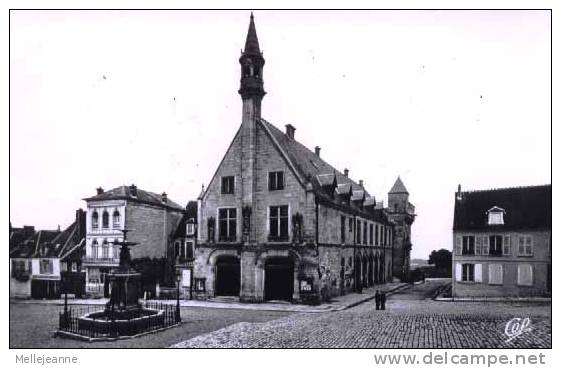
(410, 321)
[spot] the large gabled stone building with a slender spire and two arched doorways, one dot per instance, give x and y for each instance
(276, 222)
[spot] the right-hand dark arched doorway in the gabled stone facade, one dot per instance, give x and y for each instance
(279, 278)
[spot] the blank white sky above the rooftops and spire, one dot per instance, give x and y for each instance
(440, 98)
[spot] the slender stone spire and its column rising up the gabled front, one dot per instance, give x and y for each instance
(252, 92)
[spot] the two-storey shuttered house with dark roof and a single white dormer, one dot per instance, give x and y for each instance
(502, 242)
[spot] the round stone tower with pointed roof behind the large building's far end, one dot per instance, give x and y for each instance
(402, 214)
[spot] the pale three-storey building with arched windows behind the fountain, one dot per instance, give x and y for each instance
(152, 219)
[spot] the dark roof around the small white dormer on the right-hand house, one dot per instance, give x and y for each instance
(526, 208)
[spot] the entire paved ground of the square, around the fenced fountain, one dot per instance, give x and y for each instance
(411, 320)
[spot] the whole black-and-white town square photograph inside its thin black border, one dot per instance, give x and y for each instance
(283, 179)
